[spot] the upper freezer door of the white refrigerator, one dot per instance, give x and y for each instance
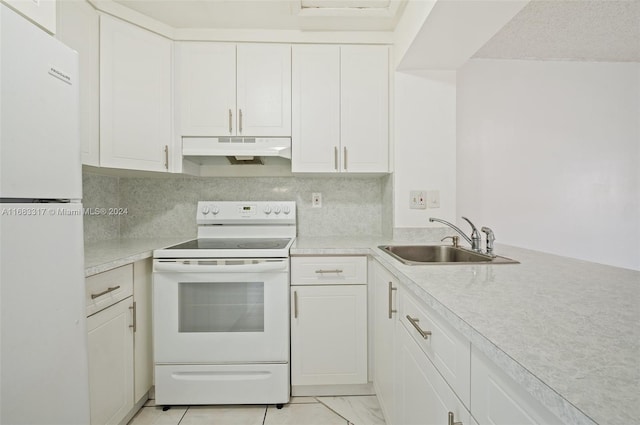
(39, 125)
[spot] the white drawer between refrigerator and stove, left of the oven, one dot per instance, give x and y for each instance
(105, 289)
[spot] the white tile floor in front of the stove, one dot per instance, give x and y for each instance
(352, 410)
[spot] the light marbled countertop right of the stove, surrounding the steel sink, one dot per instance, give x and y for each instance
(567, 330)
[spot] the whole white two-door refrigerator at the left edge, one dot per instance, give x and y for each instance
(43, 345)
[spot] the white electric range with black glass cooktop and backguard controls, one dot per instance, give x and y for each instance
(221, 307)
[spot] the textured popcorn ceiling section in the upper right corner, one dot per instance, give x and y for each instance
(604, 30)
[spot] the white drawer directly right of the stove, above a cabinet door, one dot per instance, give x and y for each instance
(328, 270)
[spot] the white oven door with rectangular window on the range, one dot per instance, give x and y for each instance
(221, 311)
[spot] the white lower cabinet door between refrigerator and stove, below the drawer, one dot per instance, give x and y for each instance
(111, 363)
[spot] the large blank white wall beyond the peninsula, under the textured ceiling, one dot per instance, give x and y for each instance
(548, 156)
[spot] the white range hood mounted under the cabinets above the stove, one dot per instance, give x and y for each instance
(236, 150)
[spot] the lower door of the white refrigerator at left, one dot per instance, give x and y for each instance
(44, 377)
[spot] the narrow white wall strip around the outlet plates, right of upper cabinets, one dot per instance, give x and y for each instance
(425, 144)
